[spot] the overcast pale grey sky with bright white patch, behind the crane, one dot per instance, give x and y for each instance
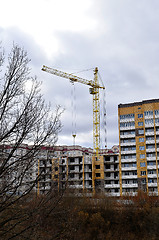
(120, 37)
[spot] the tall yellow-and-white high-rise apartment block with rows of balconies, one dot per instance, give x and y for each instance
(139, 146)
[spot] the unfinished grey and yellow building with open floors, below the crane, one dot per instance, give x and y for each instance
(76, 168)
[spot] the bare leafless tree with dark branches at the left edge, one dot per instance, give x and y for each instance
(25, 118)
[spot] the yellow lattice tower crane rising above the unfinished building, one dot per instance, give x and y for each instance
(94, 90)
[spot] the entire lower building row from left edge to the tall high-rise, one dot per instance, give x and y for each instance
(59, 167)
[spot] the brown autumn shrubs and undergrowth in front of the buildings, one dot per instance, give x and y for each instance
(81, 218)
